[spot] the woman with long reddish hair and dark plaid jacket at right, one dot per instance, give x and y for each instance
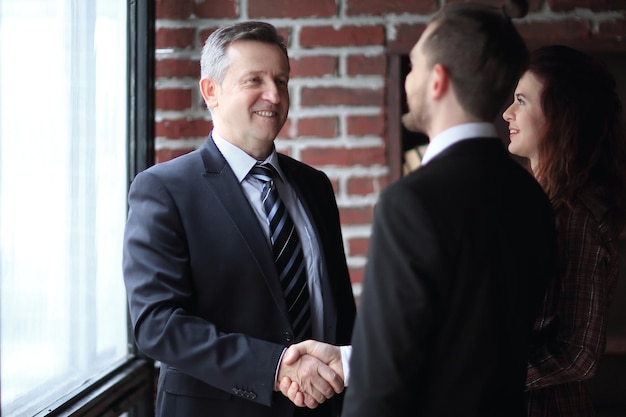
(565, 118)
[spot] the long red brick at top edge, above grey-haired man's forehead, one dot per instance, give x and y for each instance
(291, 9)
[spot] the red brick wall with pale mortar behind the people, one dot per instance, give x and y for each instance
(338, 57)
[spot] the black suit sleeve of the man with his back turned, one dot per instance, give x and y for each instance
(396, 309)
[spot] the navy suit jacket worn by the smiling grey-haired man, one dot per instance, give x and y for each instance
(204, 296)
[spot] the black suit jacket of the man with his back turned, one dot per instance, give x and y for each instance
(459, 258)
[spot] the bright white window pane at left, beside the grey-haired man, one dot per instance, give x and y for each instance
(63, 184)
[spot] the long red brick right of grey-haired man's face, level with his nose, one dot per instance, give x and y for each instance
(339, 96)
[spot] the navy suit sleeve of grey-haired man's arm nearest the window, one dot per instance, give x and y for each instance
(157, 277)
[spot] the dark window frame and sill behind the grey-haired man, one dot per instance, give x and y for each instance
(128, 386)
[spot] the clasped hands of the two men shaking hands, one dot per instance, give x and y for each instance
(311, 372)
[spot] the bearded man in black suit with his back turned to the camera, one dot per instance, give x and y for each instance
(461, 248)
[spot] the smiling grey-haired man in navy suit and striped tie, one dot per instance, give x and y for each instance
(206, 296)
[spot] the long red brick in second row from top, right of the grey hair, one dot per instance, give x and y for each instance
(345, 36)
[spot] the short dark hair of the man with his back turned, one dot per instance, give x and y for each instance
(482, 52)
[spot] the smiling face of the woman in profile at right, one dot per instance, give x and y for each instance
(527, 124)
